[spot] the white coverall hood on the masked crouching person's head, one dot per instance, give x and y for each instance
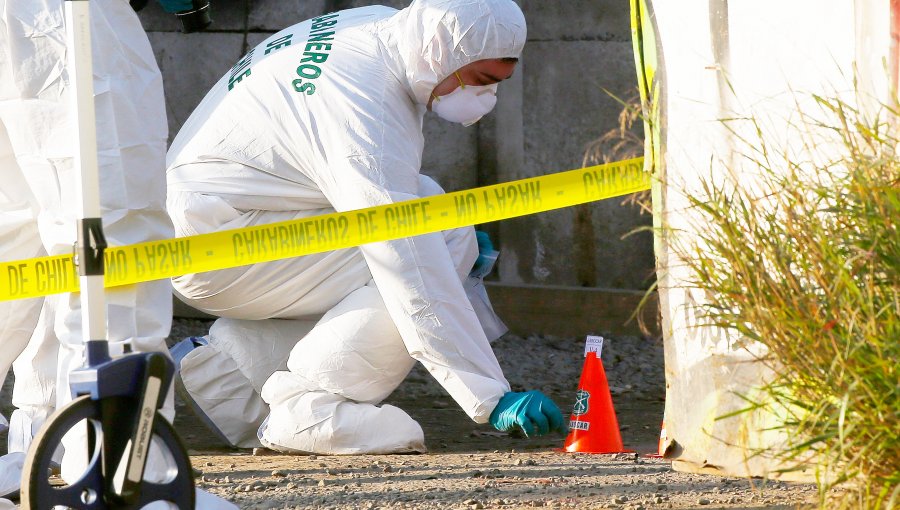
(434, 38)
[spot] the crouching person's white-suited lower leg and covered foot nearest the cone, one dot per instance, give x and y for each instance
(326, 402)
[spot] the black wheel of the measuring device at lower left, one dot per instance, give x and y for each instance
(40, 491)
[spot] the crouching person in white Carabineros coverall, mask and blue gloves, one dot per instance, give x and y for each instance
(327, 116)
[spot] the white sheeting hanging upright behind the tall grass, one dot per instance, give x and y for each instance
(731, 60)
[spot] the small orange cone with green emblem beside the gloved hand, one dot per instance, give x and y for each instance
(593, 427)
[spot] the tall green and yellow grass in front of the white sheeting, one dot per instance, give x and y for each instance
(805, 259)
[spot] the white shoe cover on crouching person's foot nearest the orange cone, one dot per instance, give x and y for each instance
(327, 424)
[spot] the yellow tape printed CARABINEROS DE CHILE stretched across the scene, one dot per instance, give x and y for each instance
(155, 260)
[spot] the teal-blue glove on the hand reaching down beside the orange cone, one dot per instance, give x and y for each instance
(531, 411)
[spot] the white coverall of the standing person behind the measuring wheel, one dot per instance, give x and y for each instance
(38, 202)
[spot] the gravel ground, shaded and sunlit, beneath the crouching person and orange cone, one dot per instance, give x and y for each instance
(471, 466)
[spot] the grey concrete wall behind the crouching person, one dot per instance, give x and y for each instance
(556, 104)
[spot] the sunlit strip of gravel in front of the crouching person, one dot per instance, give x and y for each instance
(483, 479)
